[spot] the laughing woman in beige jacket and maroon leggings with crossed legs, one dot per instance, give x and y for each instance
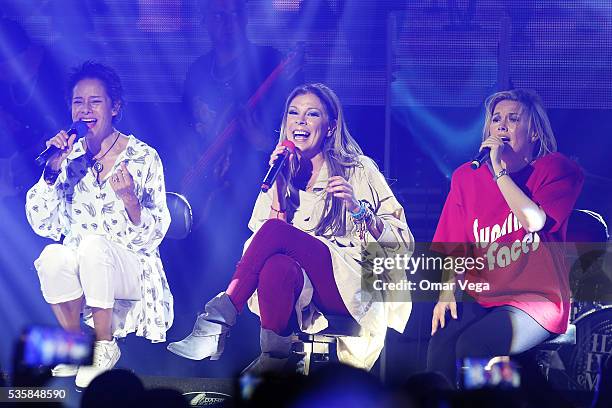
(302, 261)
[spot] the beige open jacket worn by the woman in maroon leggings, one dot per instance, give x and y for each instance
(374, 311)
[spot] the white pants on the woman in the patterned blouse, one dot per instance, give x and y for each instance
(99, 269)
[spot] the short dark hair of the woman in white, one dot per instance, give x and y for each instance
(101, 72)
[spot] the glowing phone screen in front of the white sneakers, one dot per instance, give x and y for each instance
(49, 346)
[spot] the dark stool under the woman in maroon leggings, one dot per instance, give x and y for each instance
(320, 348)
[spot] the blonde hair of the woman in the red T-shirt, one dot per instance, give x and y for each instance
(539, 124)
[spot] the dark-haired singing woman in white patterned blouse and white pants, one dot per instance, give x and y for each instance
(105, 195)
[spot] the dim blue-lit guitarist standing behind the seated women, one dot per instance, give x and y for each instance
(216, 90)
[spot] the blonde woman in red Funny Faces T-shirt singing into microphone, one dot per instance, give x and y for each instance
(506, 213)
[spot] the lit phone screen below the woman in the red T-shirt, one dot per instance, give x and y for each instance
(495, 372)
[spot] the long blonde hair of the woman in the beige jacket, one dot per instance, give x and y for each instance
(340, 152)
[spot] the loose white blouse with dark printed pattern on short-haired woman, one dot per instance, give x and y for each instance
(77, 206)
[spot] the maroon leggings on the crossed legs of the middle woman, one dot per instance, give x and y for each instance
(273, 264)
